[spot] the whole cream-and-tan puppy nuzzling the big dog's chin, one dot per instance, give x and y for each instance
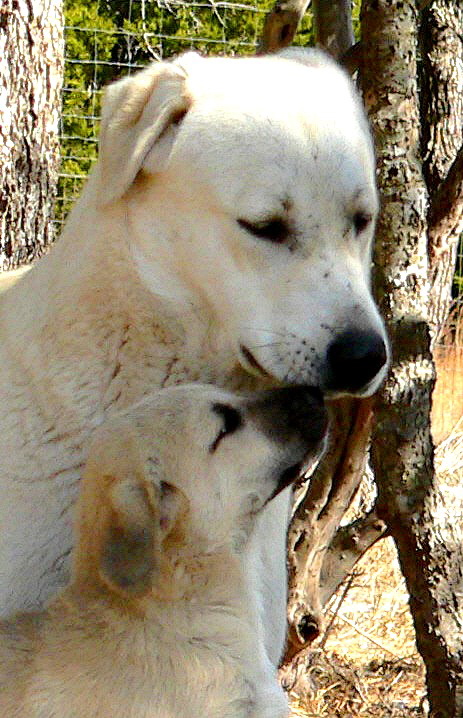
(159, 621)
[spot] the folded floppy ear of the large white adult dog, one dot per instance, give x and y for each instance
(138, 126)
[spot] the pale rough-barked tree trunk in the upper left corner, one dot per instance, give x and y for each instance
(31, 58)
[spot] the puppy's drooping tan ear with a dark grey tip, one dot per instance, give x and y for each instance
(139, 517)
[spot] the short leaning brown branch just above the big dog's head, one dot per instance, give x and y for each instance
(281, 24)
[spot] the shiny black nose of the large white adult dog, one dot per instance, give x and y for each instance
(354, 359)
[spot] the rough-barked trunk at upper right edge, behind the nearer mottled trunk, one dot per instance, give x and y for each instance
(441, 81)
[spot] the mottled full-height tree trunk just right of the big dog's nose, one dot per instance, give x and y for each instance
(402, 452)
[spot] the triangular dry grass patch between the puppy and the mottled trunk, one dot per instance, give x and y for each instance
(367, 663)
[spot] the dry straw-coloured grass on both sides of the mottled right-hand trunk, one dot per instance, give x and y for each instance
(367, 664)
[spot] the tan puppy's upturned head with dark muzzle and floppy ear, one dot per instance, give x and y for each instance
(183, 475)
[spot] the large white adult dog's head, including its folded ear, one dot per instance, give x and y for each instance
(248, 191)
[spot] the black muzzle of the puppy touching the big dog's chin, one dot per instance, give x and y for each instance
(292, 411)
